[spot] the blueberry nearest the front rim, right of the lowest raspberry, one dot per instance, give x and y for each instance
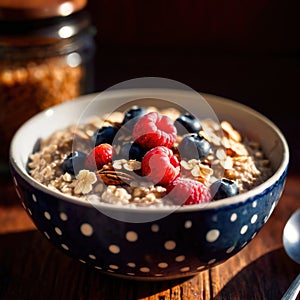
(223, 188)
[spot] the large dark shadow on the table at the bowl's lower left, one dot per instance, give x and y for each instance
(32, 268)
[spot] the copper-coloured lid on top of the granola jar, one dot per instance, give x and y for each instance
(38, 9)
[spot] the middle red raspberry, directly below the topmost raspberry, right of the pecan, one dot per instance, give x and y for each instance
(160, 165)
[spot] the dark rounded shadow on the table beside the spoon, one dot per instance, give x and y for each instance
(268, 277)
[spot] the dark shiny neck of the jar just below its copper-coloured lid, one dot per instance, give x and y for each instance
(42, 37)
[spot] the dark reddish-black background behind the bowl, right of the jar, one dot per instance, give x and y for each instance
(247, 51)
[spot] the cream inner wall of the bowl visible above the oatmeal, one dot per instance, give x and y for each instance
(246, 120)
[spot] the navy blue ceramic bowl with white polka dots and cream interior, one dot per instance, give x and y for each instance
(157, 243)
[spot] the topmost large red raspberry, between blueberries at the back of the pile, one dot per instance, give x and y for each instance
(154, 129)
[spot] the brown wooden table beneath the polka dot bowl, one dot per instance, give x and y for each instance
(31, 268)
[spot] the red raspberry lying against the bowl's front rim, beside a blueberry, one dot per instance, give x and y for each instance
(187, 191)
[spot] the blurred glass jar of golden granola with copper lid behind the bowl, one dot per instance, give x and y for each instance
(46, 57)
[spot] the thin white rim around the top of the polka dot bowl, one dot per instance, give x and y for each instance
(188, 208)
